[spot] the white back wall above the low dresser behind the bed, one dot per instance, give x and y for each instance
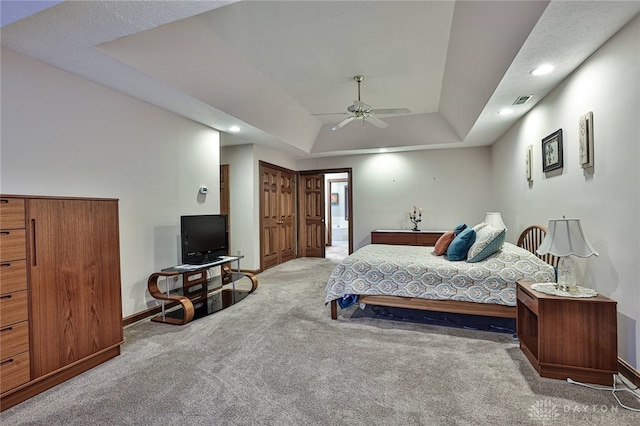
(450, 185)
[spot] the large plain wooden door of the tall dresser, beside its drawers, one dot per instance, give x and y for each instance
(76, 307)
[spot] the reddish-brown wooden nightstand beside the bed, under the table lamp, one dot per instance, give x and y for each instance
(567, 337)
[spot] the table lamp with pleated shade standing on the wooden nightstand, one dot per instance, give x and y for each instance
(565, 239)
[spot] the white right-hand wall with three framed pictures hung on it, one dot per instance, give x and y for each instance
(607, 198)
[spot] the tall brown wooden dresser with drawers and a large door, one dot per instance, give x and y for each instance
(60, 303)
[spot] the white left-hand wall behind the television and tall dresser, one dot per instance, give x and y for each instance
(65, 136)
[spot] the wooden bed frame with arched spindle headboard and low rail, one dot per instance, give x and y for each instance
(530, 239)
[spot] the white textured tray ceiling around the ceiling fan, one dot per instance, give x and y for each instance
(269, 66)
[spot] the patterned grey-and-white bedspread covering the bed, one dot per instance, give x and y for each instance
(413, 271)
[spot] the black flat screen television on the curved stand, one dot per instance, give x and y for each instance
(204, 238)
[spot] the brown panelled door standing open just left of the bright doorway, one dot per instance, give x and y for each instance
(311, 214)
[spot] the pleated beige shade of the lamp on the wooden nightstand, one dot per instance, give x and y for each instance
(565, 237)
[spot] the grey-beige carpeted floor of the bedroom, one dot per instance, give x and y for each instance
(276, 358)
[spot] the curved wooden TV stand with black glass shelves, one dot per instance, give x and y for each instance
(200, 295)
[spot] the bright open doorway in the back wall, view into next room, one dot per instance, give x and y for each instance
(337, 214)
